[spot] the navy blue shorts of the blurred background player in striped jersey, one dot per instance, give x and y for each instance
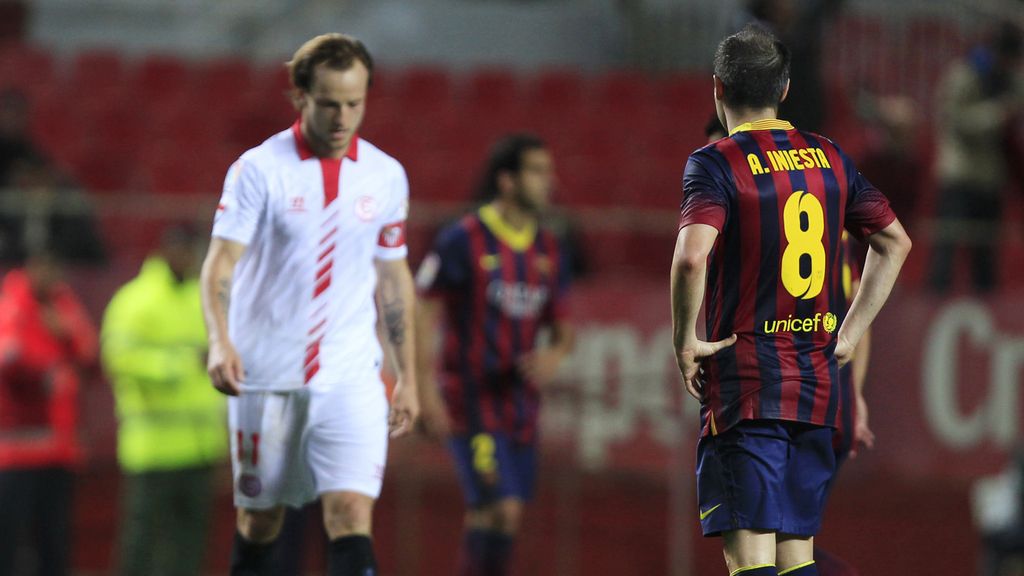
(493, 467)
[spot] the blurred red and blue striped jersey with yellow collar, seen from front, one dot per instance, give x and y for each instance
(499, 289)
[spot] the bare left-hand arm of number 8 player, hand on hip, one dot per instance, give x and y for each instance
(690, 269)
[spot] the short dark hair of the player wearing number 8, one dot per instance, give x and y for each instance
(754, 67)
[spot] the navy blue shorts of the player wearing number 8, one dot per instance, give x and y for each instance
(765, 475)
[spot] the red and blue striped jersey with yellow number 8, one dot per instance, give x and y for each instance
(781, 199)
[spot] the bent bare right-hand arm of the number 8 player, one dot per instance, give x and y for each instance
(887, 251)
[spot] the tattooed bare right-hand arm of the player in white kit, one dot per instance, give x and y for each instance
(397, 301)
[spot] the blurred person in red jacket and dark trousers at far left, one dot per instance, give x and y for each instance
(47, 340)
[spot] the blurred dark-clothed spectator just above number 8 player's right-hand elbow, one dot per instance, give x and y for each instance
(891, 162)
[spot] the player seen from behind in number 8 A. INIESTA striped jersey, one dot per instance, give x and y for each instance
(761, 221)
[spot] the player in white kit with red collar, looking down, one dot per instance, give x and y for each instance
(310, 232)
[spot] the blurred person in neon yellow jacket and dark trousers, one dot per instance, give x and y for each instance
(172, 423)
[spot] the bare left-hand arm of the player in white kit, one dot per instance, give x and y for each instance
(224, 364)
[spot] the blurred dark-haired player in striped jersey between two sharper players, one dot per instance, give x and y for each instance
(496, 279)
